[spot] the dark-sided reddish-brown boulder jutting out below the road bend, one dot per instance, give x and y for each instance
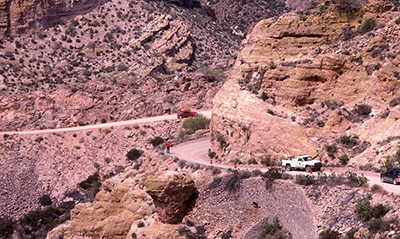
(170, 192)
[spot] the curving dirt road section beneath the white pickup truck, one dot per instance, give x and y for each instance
(197, 152)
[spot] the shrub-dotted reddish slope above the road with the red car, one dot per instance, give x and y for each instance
(135, 53)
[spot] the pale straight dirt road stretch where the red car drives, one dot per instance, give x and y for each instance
(105, 125)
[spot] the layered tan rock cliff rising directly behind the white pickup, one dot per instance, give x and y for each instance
(321, 81)
